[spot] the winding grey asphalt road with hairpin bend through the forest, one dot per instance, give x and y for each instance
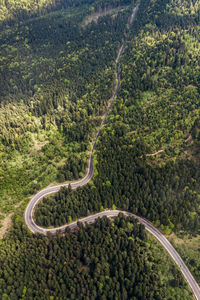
(109, 213)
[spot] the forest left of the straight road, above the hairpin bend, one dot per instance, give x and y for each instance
(55, 84)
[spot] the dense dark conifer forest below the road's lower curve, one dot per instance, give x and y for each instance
(108, 260)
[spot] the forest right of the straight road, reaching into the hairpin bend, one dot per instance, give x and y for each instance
(163, 114)
